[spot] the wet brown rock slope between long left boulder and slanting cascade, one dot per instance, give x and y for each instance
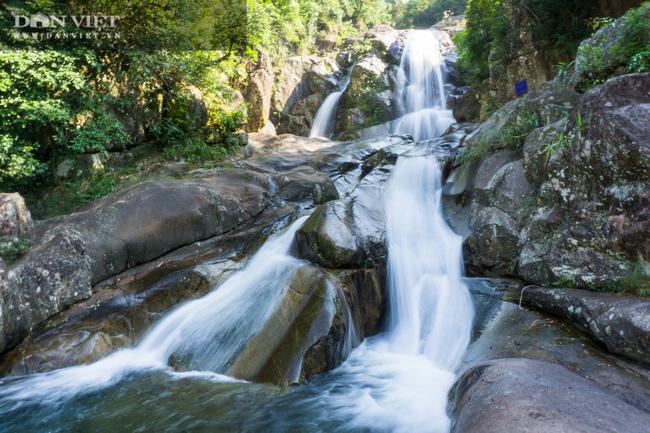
(100, 326)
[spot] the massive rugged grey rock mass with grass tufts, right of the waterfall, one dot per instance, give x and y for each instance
(571, 191)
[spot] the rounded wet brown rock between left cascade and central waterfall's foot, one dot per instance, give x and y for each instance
(305, 335)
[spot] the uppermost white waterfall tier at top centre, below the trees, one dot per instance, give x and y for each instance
(419, 90)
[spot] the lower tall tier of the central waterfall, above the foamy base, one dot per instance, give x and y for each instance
(430, 307)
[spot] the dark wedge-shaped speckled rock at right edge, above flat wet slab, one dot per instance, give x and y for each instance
(620, 322)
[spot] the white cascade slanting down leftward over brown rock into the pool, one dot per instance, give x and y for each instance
(204, 333)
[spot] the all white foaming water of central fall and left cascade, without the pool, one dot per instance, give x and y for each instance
(397, 381)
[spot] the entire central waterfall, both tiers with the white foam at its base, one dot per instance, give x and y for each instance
(400, 380)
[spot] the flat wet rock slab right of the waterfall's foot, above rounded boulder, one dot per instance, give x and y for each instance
(505, 330)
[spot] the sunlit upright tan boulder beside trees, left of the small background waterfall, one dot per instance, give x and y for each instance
(258, 94)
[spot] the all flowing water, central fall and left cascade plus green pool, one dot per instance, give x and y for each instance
(397, 381)
